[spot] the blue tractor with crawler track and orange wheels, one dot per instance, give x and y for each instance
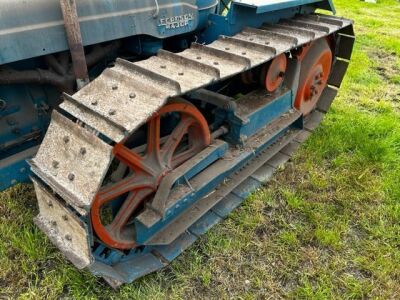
(143, 123)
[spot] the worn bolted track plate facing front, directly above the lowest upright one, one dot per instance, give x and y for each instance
(72, 161)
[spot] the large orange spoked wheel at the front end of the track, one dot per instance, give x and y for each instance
(189, 135)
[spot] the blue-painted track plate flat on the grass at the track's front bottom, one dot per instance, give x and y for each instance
(137, 267)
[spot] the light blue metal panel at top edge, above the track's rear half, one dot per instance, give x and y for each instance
(263, 6)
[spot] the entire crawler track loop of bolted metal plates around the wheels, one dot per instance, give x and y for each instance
(73, 160)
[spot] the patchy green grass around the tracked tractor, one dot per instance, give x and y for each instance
(326, 227)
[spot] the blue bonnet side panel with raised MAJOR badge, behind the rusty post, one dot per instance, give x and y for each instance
(34, 28)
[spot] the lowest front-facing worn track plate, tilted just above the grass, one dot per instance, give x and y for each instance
(63, 227)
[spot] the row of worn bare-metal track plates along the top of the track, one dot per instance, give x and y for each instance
(113, 103)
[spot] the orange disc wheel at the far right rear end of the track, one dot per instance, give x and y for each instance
(314, 74)
